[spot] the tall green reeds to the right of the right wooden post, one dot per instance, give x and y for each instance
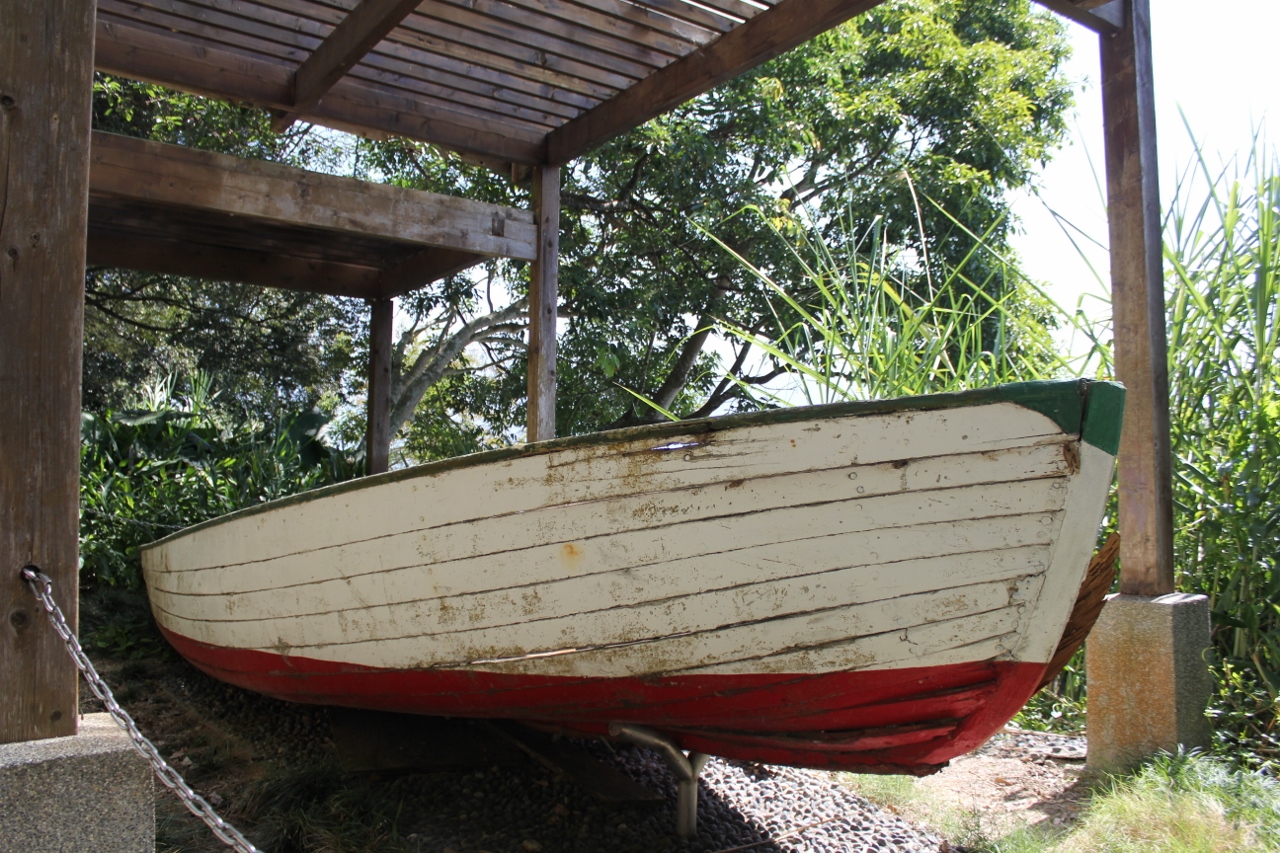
(1223, 284)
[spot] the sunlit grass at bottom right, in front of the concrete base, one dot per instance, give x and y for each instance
(1186, 804)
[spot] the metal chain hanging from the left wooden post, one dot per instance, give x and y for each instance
(44, 590)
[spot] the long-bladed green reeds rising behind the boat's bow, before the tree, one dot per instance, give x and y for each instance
(872, 321)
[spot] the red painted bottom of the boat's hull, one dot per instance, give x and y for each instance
(902, 720)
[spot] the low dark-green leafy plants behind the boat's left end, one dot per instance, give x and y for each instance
(176, 460)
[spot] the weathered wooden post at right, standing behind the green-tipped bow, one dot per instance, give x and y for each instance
(1139, 307)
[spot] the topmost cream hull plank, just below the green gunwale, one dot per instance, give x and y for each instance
(340, 516)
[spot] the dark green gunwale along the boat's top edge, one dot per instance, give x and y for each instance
(1063, 402)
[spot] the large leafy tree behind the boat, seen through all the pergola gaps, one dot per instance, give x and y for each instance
(938, 99)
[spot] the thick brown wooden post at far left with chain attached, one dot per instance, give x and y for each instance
(47, 74)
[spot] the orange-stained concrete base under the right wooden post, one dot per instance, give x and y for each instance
(1149, 682)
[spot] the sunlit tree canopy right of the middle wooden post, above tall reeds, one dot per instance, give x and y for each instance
(963, 97)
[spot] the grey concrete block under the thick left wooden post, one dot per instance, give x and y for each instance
(90, 793)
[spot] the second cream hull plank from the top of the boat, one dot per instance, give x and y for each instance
(648, 516)
